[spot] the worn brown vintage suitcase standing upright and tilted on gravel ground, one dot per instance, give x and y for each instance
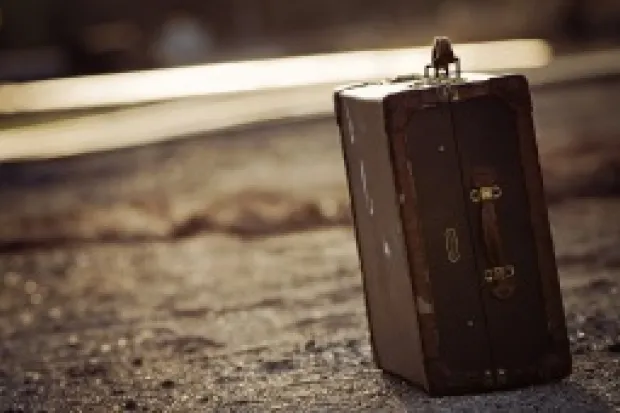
(459, 272)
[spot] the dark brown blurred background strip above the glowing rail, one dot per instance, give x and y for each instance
(51, 38)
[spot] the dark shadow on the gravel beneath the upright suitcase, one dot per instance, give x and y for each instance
(563, 396)
